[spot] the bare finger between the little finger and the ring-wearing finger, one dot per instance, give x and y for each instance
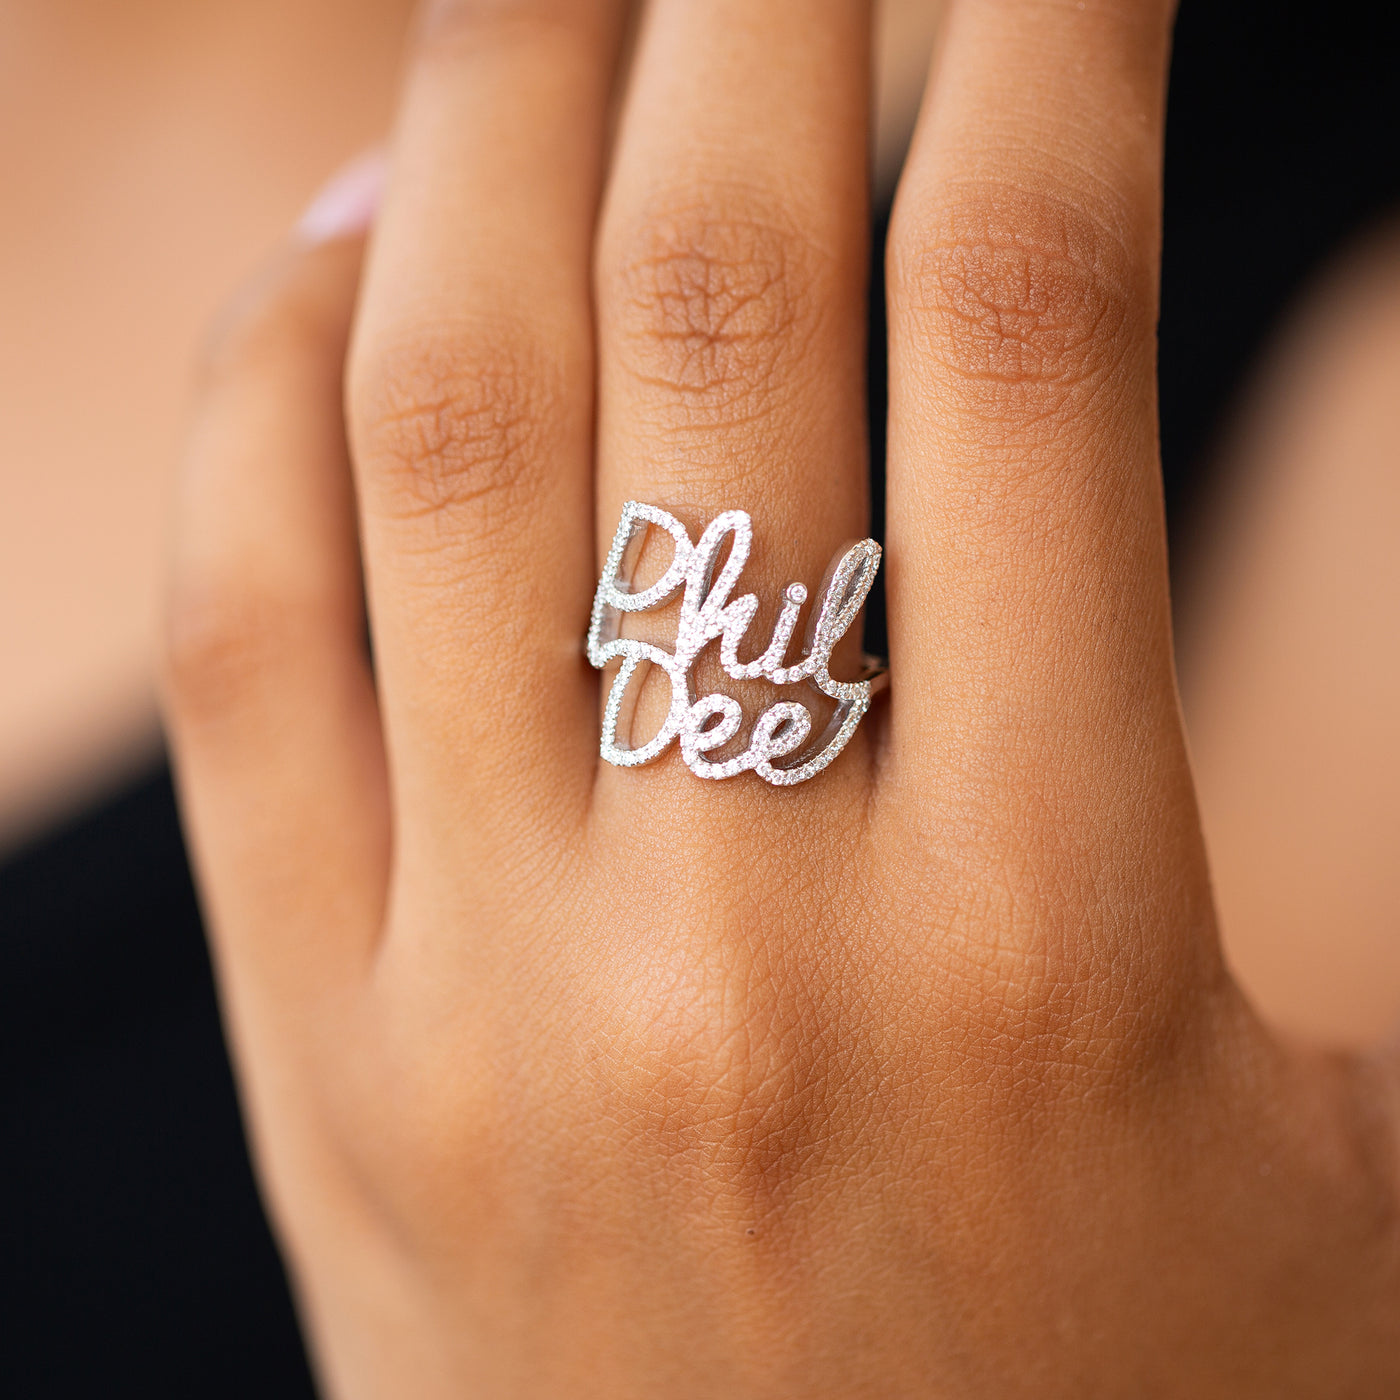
(472, 416)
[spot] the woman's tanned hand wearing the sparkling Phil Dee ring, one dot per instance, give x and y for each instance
(922, 1079)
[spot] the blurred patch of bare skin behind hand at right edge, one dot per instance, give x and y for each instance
(1301, 580)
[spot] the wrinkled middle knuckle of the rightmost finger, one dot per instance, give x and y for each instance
(1025, 303)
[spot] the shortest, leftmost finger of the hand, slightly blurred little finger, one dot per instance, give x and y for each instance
(269, 695)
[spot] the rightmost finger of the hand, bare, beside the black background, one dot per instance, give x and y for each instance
(1028, 604)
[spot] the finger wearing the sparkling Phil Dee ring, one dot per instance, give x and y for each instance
(731, 279)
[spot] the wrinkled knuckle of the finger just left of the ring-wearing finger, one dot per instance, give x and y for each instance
(440, 432)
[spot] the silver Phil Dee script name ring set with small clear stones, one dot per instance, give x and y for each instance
(779, 748)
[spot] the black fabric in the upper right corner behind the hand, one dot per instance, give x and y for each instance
(1283, 146)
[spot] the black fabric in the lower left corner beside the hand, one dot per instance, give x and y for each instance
(134, 1255)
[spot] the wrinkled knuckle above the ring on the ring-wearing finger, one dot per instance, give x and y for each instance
(713, 307)
